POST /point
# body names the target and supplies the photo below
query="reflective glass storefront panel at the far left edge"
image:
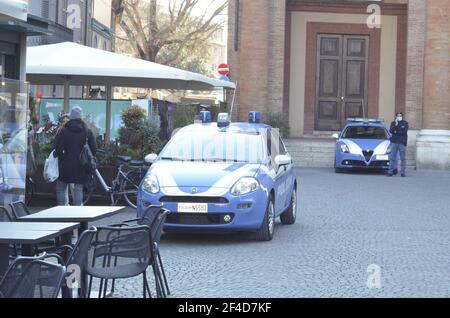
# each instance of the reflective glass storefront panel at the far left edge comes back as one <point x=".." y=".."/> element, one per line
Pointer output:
<point x="13" y="139"/>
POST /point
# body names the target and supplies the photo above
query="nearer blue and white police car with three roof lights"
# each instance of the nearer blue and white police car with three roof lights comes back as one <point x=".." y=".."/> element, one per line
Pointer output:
<point x="223" y="176"/>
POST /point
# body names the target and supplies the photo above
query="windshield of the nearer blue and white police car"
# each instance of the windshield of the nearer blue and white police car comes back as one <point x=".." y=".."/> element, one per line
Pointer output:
<point x="215" y="146"/>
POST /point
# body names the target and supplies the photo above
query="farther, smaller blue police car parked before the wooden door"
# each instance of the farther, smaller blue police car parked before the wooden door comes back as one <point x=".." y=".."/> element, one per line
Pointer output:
<point x="362" y="144"/>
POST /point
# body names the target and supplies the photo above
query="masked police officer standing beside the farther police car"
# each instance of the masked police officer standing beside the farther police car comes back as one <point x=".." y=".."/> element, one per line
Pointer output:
<point x="399" y="142"/>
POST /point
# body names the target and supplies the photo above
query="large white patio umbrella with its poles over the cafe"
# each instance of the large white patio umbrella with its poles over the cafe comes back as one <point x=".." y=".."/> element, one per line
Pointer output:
<point x="69" y="63"/>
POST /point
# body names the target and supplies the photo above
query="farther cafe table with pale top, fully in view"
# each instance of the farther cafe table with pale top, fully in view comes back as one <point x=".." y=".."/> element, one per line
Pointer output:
<point x="81" y="214"/>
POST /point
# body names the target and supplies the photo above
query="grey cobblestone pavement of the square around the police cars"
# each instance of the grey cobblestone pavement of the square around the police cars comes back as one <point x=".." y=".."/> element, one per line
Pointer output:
<point x="346" y="223"/>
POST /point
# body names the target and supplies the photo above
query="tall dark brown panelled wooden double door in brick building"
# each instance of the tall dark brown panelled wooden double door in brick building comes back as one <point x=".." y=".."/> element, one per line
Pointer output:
<point x="342" y="80"/>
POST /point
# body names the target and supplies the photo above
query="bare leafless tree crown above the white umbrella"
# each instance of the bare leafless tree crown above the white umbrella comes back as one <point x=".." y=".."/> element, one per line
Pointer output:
<point x="168" y="31"/>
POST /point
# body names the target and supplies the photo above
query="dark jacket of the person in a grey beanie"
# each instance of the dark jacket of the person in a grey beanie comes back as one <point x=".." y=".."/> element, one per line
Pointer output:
<point x="68" y="145"/>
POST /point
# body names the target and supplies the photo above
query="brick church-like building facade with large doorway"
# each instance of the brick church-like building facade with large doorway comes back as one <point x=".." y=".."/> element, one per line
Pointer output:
<point x="319" y="62"/>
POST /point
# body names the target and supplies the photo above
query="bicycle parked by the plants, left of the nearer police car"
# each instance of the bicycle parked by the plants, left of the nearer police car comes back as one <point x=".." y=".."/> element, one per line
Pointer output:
<point x="125" y="185"/>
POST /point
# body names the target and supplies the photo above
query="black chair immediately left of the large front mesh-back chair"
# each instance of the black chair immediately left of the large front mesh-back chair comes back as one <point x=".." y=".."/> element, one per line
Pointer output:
<point x="76" y="255"/>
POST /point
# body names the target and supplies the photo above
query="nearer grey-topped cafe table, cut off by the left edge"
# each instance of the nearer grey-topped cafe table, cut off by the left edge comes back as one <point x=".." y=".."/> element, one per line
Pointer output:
<point x="28" y="234"/>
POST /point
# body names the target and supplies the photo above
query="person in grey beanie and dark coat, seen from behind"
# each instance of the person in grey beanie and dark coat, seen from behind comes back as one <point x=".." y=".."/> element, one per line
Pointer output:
<point x="68" y="145"/>
